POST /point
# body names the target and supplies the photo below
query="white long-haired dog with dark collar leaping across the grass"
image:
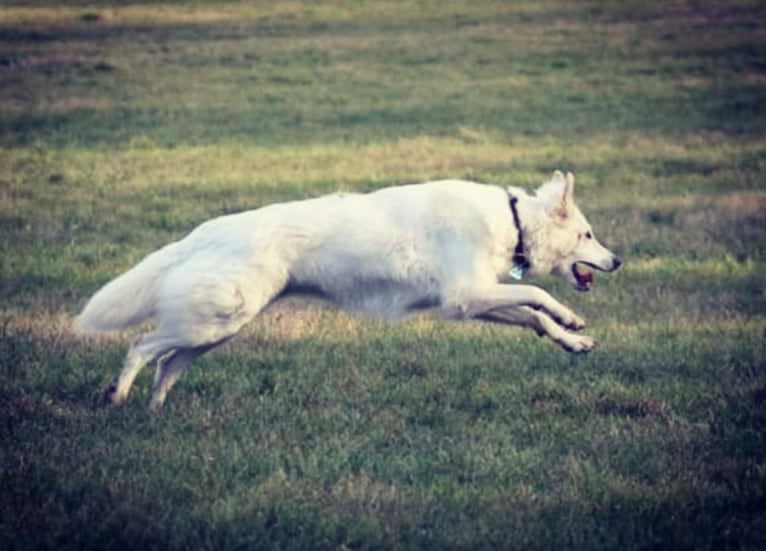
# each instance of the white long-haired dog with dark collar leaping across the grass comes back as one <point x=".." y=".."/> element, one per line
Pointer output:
<point x="448" y="245"/>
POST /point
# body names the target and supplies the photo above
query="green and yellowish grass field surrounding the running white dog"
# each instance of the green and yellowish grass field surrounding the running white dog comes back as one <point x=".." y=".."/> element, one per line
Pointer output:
<point x="122" y="126"/>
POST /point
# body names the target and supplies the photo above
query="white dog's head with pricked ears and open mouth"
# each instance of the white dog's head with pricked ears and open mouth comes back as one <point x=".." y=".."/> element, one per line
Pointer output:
<point x="566" y="244"/>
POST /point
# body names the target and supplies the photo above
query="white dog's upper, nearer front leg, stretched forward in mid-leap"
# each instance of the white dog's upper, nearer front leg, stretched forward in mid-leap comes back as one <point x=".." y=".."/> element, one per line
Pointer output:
<point x="475" y="303"/>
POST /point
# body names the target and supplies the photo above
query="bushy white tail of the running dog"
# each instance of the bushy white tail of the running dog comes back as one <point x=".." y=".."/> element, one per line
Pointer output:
<point x="129" y="298"/>
